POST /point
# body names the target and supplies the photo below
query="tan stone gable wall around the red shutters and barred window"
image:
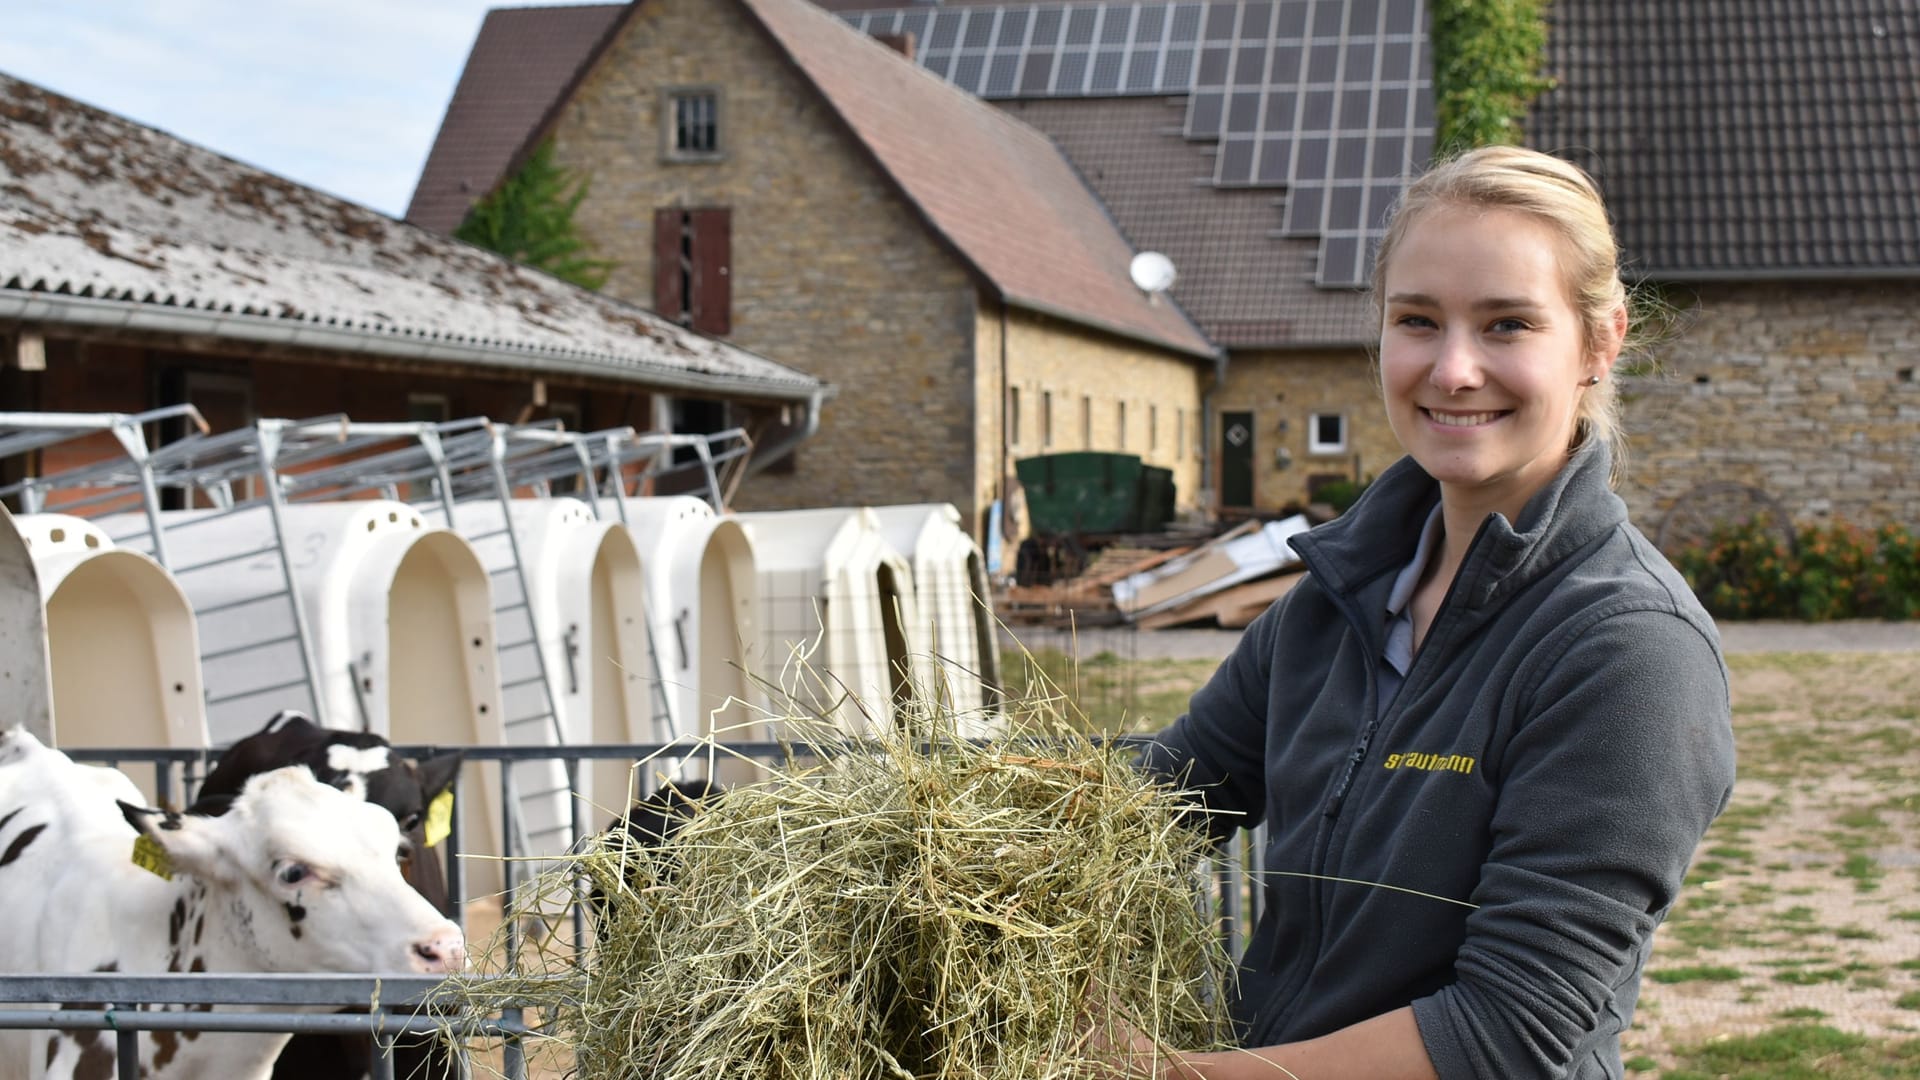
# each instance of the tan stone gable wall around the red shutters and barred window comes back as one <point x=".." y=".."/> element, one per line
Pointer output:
<point x="832" y="272"/>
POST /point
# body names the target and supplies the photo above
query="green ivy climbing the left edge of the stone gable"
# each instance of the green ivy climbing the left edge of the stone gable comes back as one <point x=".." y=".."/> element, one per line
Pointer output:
<point x="531" y="220"/>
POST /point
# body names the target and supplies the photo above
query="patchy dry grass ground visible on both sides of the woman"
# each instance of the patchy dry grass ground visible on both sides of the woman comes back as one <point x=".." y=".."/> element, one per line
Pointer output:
<point x="1796" y="946"/>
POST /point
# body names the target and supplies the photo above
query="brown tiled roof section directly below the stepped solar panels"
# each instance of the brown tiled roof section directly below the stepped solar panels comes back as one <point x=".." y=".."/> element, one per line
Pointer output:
<point x="1239" y="282"/>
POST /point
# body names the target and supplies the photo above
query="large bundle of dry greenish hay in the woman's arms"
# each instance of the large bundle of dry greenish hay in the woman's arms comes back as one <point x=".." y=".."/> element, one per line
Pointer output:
<point x="900" y="912"/>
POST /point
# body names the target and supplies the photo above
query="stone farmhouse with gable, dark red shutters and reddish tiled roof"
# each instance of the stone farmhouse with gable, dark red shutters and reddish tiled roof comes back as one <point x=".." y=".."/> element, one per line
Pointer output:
<point x="765" y="172"/>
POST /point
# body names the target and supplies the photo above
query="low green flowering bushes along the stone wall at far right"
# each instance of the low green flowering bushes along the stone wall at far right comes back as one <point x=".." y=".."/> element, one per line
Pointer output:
<point x="1835" y="572"/>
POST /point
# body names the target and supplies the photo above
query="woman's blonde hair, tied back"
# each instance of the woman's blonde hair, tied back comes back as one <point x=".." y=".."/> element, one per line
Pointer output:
<point x="1568" y="201"/>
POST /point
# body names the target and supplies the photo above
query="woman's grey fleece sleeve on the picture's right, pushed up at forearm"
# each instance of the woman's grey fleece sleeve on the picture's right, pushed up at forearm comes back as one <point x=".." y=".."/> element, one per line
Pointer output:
<point x="1621" y="758"/>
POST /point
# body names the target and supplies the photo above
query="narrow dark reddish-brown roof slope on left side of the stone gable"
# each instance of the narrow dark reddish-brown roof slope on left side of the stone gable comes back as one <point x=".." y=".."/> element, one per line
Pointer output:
<point x="519" y="66"/>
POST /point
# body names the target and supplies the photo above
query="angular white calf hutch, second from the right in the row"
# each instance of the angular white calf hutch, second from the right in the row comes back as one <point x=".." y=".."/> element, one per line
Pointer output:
<point x="840" y="624"/>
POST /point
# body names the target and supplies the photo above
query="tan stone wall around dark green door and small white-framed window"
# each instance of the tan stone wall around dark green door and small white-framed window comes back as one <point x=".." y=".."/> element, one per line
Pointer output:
<point x="1284" y="391"/>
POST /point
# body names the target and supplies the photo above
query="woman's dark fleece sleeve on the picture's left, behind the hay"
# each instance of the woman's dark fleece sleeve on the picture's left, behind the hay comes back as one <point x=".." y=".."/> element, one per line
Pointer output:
<point x="1218" y="749"/>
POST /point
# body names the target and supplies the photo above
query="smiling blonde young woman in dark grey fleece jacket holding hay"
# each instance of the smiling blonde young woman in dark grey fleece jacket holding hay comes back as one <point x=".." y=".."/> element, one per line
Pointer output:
<point x="1491" y="727"/>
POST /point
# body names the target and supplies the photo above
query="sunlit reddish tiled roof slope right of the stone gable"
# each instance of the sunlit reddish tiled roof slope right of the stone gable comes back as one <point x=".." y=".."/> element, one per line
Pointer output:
<point x="999" y="191"/>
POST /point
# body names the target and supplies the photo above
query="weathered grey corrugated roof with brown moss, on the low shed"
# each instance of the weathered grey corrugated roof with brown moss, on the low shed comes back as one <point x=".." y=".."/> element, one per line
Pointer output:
<point x="116" y="222"/>
